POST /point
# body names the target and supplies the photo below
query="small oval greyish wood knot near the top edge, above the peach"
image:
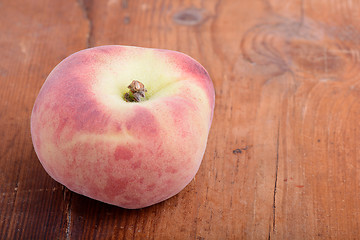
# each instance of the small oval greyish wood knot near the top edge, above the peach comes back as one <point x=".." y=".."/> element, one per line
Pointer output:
<point x="189" y="17"/>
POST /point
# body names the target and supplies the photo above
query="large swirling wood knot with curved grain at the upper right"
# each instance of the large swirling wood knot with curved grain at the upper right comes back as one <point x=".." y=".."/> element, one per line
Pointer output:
<point x="285" y="45"/>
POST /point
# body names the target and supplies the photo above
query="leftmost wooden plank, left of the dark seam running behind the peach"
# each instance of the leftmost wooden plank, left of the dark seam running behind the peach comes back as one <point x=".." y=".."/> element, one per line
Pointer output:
<point x="35" y="36"/>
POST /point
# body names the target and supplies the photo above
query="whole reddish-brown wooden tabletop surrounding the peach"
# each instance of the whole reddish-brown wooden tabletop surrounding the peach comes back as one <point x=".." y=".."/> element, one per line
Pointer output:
<point x="283" y="155"/>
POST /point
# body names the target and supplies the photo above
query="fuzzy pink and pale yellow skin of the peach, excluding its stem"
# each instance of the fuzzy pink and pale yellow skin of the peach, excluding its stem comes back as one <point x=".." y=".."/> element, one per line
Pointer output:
<point x="129" y="154"/>
